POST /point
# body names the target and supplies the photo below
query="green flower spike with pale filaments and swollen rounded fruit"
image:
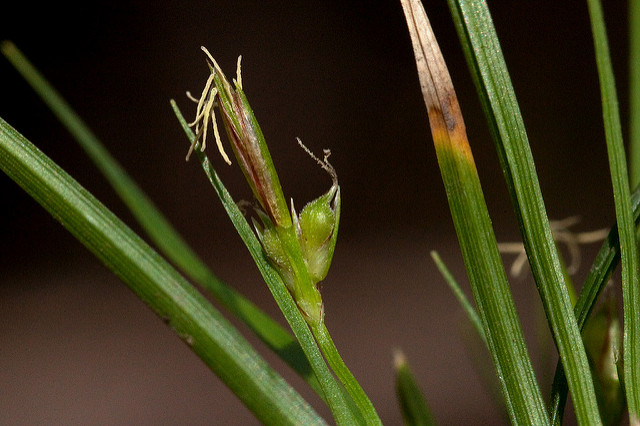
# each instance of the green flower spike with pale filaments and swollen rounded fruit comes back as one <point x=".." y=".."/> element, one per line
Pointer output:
<point x="299" y="247"/>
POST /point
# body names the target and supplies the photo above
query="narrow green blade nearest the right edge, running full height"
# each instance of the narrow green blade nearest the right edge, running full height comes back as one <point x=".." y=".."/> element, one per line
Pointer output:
<point x="624" y="216"/>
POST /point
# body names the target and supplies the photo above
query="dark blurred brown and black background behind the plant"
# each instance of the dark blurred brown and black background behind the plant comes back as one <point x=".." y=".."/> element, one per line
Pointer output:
<point x="77" y="347"/>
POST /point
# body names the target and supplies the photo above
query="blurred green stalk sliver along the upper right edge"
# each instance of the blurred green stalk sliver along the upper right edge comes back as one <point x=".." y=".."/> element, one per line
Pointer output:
<point x="634" y="92"/>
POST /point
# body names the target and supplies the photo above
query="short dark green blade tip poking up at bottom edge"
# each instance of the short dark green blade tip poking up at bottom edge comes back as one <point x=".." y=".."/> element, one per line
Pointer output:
<point x="415" y="410"/>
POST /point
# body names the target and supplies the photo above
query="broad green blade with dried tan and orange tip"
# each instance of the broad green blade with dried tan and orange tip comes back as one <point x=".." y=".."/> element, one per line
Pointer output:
<point x="471" y="219"/>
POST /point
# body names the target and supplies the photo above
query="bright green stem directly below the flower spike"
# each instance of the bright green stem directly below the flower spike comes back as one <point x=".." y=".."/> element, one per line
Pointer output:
<point x="344" y="374"/>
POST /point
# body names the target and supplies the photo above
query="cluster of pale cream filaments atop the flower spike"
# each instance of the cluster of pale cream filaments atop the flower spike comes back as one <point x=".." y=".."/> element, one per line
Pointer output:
<point x="206" y="104"/>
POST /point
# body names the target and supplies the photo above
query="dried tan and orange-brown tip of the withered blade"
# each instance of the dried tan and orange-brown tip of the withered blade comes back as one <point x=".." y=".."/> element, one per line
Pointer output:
<point x="445" y="117"/>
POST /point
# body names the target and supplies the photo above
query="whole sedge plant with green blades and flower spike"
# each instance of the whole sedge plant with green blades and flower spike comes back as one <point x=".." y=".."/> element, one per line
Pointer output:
<point x="599" y="356"/>
